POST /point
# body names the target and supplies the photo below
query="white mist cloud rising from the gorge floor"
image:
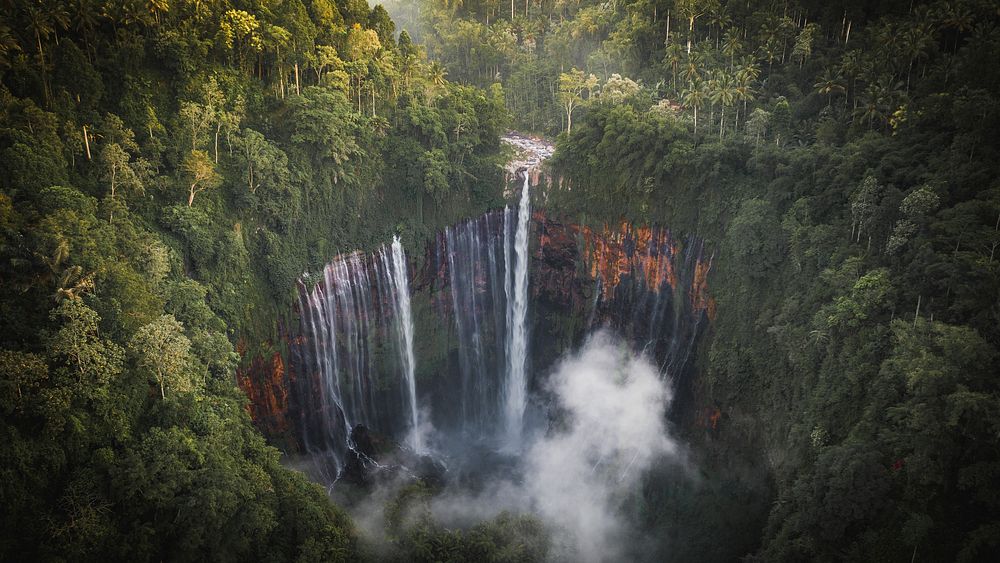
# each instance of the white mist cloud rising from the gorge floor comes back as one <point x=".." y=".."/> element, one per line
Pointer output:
<point x="608" y="431"/>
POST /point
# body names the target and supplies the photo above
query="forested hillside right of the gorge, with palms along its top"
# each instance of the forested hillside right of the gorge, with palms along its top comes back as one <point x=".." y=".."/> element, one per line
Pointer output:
<point x="841" y="158"/>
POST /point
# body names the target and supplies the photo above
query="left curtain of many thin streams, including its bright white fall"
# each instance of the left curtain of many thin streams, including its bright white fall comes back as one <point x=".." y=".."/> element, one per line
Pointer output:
<point x="360" y="307"/>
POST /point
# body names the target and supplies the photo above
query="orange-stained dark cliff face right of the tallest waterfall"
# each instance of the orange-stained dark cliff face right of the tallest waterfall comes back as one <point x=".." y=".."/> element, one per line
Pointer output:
<point x="642" y="282"/>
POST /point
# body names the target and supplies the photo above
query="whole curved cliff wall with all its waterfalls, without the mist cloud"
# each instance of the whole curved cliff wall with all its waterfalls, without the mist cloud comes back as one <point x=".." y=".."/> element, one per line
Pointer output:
<point x="465" y="305"/>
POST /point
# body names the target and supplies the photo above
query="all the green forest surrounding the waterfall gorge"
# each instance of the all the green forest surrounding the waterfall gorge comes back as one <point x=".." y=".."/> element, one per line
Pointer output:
<point x="169" y="170"/>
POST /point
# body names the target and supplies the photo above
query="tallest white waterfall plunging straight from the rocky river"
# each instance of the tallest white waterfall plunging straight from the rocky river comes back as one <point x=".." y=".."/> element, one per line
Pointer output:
<point x="516" y="388"/>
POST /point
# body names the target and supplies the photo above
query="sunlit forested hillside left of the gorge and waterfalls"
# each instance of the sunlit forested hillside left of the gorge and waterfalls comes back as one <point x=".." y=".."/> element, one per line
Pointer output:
<point x="169" y="171"/>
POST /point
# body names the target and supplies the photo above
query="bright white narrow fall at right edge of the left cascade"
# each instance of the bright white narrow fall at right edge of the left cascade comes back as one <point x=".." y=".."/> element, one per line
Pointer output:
<point x="396" y="264"/>
